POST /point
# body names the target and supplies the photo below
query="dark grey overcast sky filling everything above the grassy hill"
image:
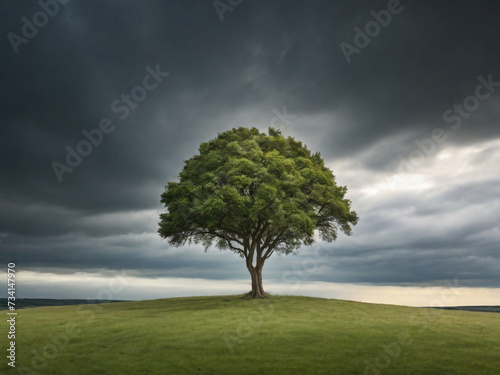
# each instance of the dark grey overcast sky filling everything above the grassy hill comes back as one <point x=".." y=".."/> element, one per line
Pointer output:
<point x="402" y="100"/>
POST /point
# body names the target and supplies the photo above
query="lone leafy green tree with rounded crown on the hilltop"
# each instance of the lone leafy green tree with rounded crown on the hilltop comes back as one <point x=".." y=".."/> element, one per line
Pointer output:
<point x="254" y="194"/>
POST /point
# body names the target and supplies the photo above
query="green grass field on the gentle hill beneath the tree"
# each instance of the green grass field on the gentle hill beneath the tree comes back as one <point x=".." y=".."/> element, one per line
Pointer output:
<point x="230" y="335"/>
